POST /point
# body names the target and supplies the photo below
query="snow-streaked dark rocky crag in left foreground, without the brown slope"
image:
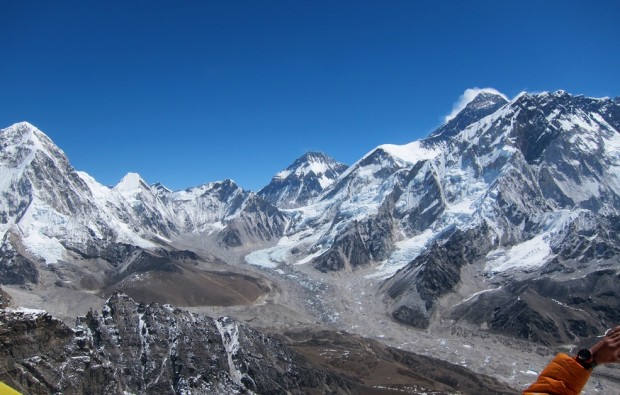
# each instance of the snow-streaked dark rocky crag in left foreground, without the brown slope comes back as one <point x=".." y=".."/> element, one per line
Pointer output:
<point x="147" y="349"/>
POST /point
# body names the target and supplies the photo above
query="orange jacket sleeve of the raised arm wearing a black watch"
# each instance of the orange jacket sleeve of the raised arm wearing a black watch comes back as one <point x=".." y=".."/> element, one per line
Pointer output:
<point x="562" y="376"/>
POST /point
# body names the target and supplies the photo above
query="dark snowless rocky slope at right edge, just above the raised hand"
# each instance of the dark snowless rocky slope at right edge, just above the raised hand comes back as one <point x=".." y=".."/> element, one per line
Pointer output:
<point x="549" y="311"/>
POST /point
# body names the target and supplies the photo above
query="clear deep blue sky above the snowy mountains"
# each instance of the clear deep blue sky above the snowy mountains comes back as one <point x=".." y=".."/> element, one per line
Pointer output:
<point x="188" y="92"/>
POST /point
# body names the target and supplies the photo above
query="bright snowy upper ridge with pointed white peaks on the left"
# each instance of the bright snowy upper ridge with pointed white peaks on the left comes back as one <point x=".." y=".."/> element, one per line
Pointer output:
<point x="56" y="211"/>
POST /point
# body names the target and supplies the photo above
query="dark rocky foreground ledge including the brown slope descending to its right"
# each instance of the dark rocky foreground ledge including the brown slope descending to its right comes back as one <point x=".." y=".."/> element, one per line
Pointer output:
<point x="159" y="349"/>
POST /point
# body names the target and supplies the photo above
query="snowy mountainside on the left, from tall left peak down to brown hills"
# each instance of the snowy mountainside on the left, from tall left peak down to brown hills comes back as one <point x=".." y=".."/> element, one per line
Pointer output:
<point x="52" y="213"/>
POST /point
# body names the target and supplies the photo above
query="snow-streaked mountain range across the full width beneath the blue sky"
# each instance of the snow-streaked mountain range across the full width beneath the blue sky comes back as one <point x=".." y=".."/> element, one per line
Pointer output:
<point x="504" y="220"/>
